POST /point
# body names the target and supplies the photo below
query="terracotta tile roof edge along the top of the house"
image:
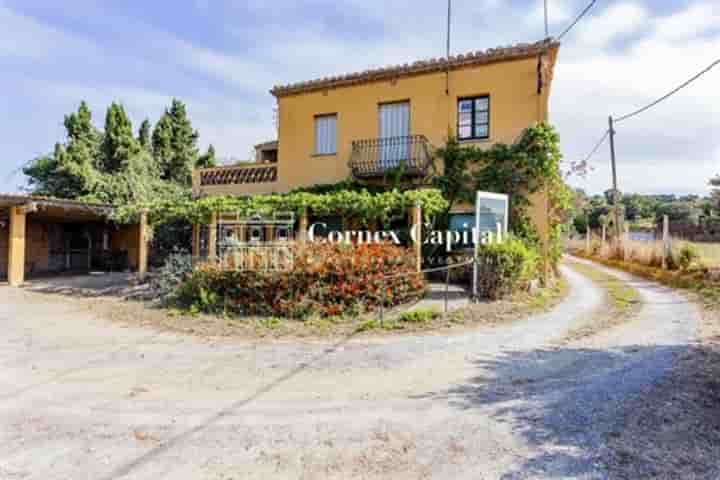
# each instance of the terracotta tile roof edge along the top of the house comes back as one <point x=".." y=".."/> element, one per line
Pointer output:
<point x="479" y="57"/>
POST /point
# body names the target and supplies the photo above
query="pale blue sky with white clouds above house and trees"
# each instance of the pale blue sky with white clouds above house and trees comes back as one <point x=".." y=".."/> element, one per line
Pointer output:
<point x="222" y="56"/>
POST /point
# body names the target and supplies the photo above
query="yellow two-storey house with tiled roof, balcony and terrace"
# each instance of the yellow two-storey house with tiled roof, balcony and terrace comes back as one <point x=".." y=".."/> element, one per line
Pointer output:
<point x="362" y="124"/>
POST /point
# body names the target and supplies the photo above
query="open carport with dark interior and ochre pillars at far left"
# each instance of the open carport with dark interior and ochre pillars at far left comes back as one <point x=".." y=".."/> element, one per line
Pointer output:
<point x="42" y="236"/>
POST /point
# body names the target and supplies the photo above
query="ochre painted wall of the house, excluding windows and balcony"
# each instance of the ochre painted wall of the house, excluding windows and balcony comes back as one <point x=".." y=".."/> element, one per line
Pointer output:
<point x="514" y="105"/>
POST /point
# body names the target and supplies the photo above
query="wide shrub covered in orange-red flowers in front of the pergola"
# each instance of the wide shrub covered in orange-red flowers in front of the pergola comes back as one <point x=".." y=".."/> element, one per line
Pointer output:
<point x="325" y="279"/>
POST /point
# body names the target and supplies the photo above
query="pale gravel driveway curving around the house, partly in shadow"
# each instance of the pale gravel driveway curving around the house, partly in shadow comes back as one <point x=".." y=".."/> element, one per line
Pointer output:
<point x="83" y="398"/>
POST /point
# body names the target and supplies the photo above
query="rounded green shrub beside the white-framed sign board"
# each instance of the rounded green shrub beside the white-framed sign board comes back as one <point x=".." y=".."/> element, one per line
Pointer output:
<point x="505" y="268"/>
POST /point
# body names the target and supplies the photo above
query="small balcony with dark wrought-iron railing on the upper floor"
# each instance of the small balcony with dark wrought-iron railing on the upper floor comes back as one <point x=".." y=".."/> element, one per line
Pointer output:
<point x="376" y="157"/>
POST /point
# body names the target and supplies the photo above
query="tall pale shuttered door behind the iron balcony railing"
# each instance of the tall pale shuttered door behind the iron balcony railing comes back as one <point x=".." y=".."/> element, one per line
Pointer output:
<point x="394" y="135"/>
